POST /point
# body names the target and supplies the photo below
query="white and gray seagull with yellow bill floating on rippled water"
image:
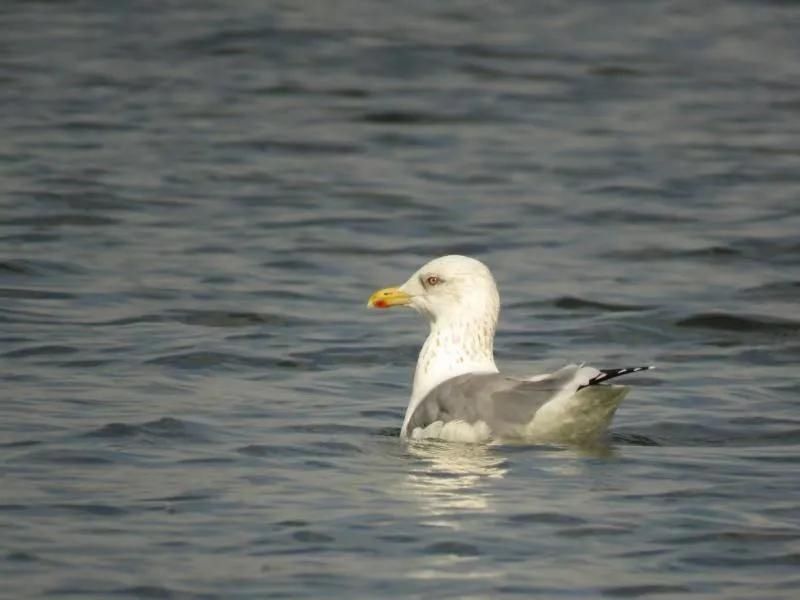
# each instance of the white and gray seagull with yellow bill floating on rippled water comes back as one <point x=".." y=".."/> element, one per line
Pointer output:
<point x="458" y="393"/>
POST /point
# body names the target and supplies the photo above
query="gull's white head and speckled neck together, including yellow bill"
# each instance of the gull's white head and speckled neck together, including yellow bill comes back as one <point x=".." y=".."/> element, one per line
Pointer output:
<point x="458" y="296"/>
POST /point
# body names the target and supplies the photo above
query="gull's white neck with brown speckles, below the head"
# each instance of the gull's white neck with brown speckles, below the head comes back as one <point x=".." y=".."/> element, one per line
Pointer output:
<point x="454" y="347"/>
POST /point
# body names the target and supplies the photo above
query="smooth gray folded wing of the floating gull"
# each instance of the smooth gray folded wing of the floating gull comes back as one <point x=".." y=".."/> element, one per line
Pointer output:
<point x="504" y="403"/>
